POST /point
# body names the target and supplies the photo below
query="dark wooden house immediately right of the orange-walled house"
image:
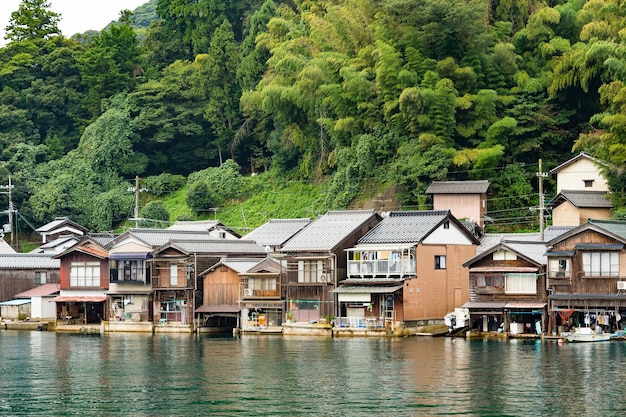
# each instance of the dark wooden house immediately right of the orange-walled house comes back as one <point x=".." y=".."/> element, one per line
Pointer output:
<point x="507" y="287"/>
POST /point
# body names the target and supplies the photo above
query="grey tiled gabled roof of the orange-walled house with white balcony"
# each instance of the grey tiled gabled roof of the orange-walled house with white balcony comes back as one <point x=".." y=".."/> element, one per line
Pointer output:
<point x="410" y="227"/>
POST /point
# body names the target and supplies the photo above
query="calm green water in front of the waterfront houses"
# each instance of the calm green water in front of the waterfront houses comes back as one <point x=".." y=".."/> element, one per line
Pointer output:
<point x="51" y="374"/>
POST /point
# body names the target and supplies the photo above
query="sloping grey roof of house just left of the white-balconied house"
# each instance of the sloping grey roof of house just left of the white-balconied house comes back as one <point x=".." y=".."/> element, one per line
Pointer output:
<point x="328" y="231"/>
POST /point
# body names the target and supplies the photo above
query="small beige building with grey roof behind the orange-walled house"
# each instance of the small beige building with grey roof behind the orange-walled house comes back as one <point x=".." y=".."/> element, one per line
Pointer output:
<point x="466" y="200"/>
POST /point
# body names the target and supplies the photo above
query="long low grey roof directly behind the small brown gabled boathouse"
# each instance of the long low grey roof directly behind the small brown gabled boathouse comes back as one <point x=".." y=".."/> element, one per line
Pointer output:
<point x="212" y="246"/>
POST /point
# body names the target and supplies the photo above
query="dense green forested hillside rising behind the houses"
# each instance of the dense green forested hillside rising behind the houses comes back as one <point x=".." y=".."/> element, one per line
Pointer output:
<point x="342" y="98"/>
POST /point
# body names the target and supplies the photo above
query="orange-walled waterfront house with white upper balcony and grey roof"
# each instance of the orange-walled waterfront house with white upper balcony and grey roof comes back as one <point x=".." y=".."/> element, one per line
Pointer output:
<point x="407" y="269"/>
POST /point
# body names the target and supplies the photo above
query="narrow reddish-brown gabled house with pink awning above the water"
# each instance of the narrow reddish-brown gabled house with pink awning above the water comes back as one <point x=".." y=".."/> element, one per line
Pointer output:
<point x="84" y="281"/>
